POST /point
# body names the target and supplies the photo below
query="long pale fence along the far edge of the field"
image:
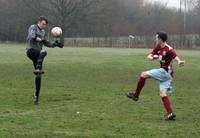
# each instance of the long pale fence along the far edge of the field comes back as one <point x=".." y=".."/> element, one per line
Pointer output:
<point x="177" y="41"/>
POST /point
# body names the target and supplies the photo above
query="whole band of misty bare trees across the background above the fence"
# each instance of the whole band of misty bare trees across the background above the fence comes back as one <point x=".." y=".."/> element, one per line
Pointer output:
<point x="98" y="18"/>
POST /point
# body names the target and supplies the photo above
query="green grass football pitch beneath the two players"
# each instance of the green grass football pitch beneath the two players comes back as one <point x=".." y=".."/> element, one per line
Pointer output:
<point x="82" y="95"/>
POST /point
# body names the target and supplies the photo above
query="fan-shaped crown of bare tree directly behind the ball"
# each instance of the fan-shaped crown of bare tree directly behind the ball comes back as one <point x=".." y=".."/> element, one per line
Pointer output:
<point x="63" y="13"/>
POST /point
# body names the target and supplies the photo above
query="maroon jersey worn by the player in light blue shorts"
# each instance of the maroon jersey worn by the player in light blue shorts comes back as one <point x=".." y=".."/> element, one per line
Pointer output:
<point x="166" y="55"/>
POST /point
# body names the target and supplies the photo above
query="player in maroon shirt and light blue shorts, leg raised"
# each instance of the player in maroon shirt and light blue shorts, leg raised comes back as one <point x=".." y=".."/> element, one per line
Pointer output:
<point x="166" y="54"/>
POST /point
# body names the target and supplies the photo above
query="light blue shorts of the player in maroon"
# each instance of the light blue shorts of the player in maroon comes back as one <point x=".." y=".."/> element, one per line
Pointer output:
<point x="164" y="77"/>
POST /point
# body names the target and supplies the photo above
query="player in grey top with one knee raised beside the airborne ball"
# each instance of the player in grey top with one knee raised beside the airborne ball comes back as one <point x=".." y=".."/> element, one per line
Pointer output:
<point x="36" y="39"/>
